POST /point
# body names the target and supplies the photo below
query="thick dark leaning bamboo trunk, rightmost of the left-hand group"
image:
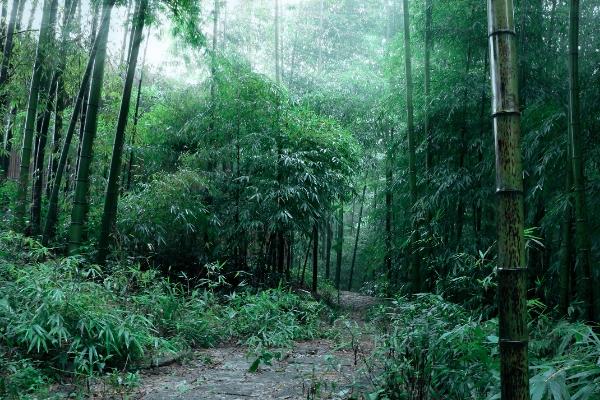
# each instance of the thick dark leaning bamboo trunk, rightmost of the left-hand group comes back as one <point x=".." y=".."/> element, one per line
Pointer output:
<point x="111" y="198"/>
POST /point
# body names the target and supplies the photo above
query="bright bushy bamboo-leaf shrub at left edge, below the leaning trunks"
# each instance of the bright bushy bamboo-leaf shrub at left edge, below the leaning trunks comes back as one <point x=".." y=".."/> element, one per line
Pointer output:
<point x="53" y="311"/>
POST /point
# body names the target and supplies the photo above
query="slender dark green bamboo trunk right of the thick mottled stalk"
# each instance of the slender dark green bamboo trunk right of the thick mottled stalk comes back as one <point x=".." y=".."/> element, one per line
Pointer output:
<point x="583" y="244"/>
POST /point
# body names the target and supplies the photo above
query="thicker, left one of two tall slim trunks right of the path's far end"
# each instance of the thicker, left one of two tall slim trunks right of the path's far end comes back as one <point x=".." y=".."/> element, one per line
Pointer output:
<point x="412" y="172"/>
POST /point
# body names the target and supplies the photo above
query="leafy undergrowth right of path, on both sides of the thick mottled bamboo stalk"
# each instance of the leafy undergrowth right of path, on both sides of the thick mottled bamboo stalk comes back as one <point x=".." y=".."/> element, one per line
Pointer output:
<point x="435" y="349"/>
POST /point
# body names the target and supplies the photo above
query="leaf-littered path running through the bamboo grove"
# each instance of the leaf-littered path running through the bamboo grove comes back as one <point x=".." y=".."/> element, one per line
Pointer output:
<point x="315" y="369"/>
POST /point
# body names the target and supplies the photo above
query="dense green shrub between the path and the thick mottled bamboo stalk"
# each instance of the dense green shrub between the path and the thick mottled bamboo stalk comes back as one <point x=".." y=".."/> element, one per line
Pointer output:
<point x="435" y="349"/>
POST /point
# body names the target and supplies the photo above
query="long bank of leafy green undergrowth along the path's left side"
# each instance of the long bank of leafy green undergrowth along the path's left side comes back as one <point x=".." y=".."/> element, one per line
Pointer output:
<point x="65" y="318"/>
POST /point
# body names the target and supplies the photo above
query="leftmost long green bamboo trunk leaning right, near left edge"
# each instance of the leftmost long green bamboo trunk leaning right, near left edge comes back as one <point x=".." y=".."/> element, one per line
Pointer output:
<point x="46" y="30"/>
